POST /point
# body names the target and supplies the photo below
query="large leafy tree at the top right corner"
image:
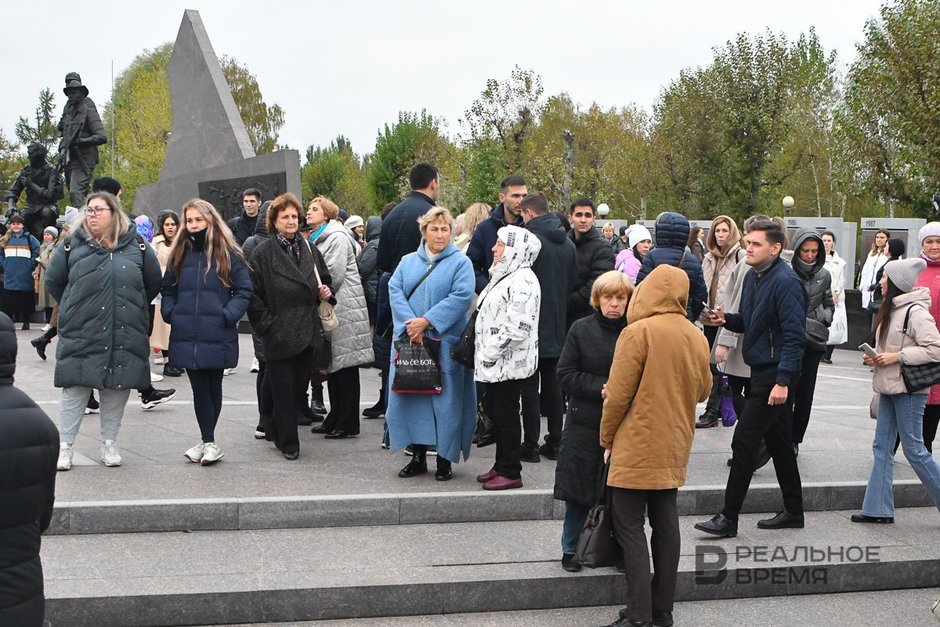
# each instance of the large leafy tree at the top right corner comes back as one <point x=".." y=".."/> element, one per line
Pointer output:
<point x="890" y="120"/>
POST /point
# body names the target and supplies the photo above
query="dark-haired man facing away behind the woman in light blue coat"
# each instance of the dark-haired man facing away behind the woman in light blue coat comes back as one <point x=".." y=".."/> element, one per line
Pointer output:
<point x="400" y="234"/>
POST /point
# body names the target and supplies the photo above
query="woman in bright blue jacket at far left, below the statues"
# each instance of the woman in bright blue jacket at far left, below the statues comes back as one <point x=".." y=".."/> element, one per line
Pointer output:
<point x="18" y="254"/>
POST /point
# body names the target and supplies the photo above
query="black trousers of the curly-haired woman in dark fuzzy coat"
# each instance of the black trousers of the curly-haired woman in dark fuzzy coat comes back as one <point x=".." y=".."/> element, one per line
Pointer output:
<point x="285" y="378"/>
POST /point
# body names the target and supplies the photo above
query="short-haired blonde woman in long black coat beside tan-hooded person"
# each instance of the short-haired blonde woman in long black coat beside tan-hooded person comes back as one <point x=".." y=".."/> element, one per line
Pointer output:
<point x="582" y="372"/>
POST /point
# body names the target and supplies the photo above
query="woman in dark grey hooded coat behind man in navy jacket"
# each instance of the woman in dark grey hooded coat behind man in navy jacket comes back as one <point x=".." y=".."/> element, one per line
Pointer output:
<point x="809" y="259"/>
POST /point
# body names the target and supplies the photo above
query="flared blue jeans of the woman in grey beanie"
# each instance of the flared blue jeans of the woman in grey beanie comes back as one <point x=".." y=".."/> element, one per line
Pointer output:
<point x="899" y="414"/>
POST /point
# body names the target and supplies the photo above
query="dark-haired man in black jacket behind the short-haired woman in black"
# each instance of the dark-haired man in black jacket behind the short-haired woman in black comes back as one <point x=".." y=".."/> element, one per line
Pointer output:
<point x="595" y="257"/>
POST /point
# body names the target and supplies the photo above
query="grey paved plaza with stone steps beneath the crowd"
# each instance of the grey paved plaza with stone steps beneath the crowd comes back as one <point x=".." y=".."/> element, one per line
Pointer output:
<point x="337" y="535"/>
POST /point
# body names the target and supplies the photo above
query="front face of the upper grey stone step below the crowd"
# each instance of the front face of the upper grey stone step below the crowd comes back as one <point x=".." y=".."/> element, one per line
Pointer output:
<point x="214" y="514"/>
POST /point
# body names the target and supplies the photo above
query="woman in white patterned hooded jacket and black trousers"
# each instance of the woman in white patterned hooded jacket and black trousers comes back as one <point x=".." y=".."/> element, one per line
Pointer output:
<point x="507" y="346"/>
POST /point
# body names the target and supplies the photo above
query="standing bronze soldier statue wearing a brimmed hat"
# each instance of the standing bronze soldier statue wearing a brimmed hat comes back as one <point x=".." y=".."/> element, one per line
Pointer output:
<point x="82" y="133"/>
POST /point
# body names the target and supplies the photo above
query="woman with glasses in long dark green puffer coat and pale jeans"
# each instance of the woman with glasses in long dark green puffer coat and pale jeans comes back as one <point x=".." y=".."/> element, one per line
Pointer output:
<point x="104" y="277"/>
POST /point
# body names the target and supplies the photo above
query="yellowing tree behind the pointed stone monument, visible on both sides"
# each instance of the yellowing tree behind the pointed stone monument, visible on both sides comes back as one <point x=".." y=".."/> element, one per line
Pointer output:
<point x="141" y="116"/>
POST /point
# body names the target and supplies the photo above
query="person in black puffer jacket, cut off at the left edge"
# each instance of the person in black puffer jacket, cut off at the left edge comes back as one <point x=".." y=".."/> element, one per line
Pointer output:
<point x="29" y="445"/>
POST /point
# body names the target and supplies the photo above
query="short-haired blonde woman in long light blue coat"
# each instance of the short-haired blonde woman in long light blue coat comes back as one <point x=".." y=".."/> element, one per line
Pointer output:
<point x="435" y="306"/>
